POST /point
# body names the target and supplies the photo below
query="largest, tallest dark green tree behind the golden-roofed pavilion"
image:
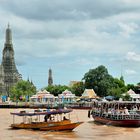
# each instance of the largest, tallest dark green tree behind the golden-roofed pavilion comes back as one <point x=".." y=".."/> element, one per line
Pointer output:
<point x="99" y="80"/>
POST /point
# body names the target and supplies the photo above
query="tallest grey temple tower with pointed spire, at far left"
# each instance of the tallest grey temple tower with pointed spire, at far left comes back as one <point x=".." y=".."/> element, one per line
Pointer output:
<point x="9" y="74"/>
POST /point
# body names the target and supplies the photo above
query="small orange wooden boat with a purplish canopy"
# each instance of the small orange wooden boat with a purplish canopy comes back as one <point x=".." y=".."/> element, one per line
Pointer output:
<point x="51" y="118"/>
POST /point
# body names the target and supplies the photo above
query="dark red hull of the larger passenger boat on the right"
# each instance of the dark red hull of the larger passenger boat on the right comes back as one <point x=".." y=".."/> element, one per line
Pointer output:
<point x="125" y="123"/>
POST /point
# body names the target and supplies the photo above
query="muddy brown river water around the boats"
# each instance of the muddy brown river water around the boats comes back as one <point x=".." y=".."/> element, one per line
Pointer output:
<point x="86" y="131"/>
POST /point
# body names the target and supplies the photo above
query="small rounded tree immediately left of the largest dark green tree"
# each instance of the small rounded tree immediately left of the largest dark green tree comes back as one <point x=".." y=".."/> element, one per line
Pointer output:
<point x="78" y="88"/>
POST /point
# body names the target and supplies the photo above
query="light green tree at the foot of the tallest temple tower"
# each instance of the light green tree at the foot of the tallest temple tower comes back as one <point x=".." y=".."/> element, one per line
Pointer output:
<point x="22" y="89"/>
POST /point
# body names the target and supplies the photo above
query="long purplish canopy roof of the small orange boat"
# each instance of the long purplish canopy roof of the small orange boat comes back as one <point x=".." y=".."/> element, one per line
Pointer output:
<point x="54" y="112"/>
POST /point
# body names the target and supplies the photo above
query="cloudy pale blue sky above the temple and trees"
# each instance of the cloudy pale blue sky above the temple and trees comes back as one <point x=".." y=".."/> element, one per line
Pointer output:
<point x="71" y="37"/>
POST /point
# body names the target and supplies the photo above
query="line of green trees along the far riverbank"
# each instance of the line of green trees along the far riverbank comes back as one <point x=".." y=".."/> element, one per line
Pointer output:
<point x="98" y="79"/>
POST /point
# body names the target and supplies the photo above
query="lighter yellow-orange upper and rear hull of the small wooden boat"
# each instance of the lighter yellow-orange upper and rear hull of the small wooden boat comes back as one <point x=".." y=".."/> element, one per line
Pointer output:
<point x="38" y="125"/>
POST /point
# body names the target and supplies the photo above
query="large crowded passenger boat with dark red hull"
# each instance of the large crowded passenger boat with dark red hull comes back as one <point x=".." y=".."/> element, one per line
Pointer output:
<point x="116" y="113"/>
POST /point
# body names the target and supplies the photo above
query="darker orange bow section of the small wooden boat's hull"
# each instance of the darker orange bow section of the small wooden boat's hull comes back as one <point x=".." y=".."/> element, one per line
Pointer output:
<point x="63" y="127"/>
